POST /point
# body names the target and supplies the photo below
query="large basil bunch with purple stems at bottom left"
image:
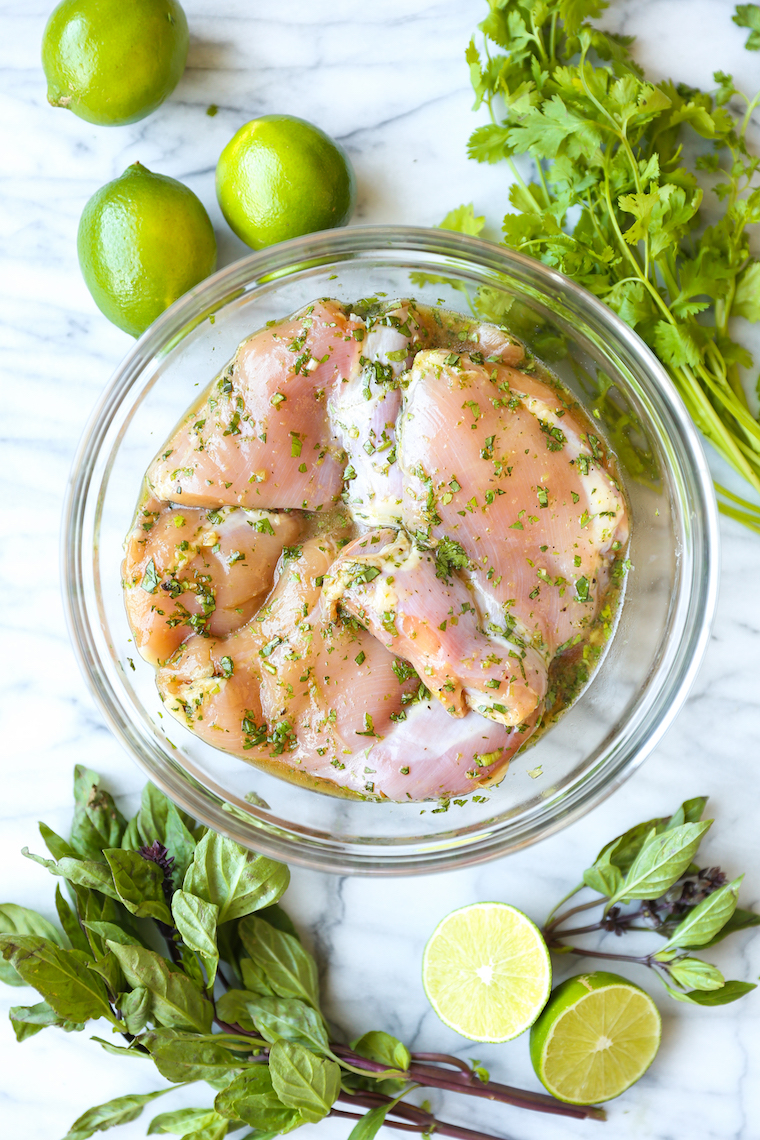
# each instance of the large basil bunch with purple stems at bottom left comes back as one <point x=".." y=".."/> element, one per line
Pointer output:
<point x="175" y="938"/>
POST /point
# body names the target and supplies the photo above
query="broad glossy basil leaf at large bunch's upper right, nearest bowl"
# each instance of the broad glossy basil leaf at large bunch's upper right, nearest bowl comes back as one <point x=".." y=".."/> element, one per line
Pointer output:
<point x="236" y="881"/>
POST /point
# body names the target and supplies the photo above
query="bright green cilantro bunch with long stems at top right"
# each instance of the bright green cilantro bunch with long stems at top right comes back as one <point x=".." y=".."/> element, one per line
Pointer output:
<point x="616" y="206"/>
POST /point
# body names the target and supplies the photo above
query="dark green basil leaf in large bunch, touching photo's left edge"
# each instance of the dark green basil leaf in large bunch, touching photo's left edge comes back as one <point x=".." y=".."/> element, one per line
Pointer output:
<point x="60" y="976"/>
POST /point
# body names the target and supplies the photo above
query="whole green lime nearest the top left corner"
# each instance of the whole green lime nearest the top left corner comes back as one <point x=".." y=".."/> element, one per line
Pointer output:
<point x="113" y="62"/>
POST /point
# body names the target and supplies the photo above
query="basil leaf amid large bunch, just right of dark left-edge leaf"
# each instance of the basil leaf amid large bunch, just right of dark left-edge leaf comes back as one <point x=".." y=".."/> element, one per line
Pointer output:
<point x="177" y="1003"/>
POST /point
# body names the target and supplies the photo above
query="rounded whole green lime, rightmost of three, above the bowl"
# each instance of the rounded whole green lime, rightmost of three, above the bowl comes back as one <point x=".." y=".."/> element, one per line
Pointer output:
<point x="281" y="177"/>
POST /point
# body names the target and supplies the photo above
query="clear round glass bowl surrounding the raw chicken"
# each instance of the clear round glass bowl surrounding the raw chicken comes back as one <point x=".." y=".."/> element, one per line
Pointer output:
<point x="664" y="621"/>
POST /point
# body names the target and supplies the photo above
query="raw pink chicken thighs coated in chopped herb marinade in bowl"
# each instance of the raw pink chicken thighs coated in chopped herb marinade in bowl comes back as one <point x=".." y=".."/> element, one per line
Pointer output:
<point x="362" y="552"/>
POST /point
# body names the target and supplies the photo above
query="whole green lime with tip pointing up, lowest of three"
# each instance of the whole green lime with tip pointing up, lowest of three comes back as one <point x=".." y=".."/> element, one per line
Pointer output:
<point x="144" y="240"/>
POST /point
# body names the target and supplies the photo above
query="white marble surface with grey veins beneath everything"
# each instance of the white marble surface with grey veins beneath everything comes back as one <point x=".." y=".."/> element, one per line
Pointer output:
<point x="390" y="82"/>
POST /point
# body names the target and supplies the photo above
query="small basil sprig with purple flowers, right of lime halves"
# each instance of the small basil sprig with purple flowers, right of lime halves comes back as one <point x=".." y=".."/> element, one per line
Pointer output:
<point x="648" y="880"/>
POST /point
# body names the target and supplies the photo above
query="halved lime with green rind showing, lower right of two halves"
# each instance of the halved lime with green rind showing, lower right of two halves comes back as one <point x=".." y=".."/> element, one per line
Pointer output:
<point x="596" y="1037"/>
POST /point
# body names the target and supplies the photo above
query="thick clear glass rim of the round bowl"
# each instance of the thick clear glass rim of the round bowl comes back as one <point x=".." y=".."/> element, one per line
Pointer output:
<point x="199" y="303"/>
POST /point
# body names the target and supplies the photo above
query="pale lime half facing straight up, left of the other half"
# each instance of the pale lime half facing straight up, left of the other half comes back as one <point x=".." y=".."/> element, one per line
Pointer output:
<point x="487" y="972"/>
